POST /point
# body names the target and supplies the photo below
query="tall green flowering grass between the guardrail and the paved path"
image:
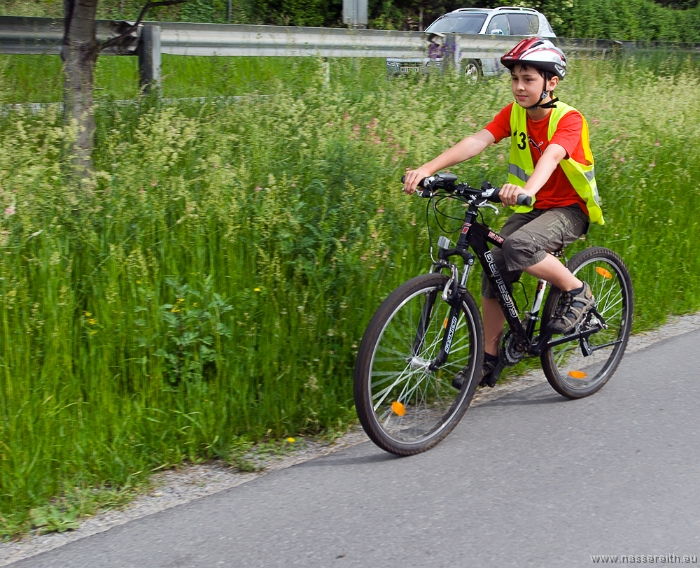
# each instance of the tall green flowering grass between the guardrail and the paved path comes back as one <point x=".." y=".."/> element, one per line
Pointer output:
<point x="212" y="282"/>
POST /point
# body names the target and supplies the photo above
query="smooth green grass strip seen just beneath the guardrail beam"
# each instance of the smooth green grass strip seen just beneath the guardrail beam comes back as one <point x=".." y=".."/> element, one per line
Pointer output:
<point x="38" y="78"/>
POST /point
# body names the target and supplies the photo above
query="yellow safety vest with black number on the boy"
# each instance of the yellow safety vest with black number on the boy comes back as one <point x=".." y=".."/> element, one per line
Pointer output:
<point x="581" y="176"/>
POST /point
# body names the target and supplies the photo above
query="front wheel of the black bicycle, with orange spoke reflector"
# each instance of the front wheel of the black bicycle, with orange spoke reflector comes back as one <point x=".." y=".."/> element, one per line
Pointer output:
<point x="405" y="408"/>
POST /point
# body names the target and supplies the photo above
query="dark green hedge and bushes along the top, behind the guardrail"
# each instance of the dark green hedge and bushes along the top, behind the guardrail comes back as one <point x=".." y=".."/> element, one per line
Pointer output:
<point x="640" y="20"/>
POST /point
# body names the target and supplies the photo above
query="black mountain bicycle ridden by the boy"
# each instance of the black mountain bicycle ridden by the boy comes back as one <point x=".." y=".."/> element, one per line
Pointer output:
<point x="430" y="328"/>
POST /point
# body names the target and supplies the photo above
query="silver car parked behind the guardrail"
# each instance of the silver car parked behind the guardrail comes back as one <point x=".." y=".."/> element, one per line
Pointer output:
<point x="504" y="21"/>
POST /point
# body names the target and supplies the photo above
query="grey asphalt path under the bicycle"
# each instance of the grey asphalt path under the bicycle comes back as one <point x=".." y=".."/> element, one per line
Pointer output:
<point x="530" y="479"/>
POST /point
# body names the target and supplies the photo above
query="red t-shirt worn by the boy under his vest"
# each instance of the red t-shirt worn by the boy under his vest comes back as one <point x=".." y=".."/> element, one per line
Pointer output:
<point x="557" y="190"/>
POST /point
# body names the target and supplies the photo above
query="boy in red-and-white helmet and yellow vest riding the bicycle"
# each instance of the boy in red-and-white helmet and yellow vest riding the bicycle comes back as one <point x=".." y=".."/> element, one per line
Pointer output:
<point x="551" y="161"/>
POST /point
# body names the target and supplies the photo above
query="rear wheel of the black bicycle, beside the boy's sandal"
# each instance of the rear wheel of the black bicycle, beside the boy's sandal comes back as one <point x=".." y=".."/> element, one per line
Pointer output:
<point x="568" y="371"/>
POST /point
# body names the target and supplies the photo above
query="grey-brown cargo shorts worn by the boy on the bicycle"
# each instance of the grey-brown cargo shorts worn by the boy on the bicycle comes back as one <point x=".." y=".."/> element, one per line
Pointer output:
<point x="530" y="236"/>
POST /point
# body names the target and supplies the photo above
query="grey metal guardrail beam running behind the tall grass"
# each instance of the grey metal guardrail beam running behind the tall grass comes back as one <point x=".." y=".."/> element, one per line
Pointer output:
<point x="44" y="35"/>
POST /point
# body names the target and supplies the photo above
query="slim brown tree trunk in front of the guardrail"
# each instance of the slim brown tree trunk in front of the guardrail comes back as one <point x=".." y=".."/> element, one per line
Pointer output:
<point x="79" y="53"/>
